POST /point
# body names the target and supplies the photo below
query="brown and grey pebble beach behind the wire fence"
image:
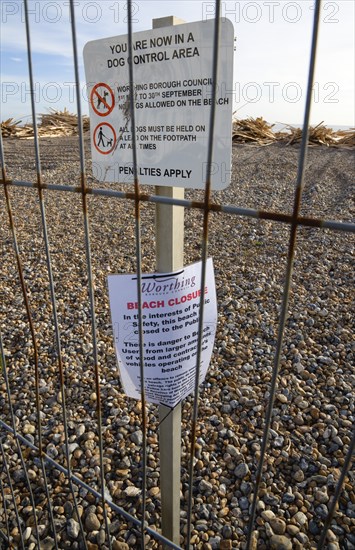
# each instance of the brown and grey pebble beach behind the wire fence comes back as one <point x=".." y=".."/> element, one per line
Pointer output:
<point x="314" y="412"/>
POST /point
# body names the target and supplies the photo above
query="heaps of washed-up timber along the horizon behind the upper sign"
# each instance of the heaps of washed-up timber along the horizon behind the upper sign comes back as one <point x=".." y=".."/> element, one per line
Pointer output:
<point x="257" y="131"/>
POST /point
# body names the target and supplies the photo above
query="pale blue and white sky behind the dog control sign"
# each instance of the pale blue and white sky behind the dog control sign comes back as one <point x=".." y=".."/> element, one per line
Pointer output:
<point x="271" y="57"/>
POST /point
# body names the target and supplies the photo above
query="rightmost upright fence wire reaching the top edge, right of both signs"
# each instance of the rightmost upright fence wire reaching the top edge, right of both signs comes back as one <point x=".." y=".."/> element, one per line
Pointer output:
<point x="289" y="272"/>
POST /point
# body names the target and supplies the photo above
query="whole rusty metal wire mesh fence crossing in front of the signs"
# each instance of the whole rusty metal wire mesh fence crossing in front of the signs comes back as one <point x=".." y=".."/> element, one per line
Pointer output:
<point x="293" y="221"/>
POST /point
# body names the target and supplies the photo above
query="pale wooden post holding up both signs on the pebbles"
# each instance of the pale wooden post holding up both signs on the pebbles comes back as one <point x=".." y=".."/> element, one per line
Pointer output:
<point x="170" y="257"/>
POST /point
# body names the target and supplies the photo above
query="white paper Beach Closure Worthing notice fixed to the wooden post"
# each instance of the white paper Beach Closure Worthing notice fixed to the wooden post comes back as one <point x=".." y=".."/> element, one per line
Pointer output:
<point x="170" y="309"/>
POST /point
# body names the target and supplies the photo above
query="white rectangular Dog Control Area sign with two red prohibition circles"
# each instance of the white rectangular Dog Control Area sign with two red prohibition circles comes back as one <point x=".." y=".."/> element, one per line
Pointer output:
<point x="172" y="68"/>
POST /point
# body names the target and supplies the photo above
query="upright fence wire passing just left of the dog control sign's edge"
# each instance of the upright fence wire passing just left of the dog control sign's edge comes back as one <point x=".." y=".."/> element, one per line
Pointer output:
<point x="89" y="265"/>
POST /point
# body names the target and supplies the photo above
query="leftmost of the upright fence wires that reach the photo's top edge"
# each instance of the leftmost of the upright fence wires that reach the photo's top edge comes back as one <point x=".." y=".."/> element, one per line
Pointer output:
<point x="50" y="271"/>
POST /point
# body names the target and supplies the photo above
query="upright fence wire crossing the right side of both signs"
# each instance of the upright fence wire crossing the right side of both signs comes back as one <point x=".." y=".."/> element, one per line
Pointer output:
<point x="204" y="254"/>
